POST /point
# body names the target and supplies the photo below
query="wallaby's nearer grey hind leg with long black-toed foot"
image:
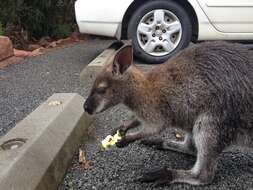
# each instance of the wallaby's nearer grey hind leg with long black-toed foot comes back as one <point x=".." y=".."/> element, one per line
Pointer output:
<point x="209" y="144"/>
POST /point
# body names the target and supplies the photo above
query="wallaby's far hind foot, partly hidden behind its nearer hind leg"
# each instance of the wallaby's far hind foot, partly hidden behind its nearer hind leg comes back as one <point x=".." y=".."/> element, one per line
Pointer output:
<point x="186" y="146"/>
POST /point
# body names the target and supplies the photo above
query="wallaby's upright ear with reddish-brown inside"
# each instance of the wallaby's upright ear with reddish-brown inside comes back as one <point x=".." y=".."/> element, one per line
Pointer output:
<point x="123" y="59"/>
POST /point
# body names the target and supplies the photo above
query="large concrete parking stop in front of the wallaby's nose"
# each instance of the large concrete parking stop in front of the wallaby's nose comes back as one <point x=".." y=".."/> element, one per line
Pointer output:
<point x="35" y="154"/>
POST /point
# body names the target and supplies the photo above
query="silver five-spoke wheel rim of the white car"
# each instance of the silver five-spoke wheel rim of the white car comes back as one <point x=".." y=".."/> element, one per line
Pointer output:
<point x="159" y="32"/>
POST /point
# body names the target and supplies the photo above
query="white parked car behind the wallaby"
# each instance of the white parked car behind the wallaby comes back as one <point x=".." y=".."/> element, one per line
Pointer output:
<point x="160" y="28"/>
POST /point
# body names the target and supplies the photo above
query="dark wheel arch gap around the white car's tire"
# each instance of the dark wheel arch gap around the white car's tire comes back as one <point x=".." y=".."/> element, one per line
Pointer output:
<point x="184" y="3"/>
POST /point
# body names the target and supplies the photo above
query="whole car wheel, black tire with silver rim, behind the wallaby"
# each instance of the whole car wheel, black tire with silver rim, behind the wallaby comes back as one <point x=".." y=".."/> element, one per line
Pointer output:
<point x="173" y="10"/>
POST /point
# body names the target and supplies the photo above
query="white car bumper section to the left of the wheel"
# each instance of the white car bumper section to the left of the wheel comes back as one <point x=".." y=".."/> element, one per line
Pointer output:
<point x="100" y="17"/>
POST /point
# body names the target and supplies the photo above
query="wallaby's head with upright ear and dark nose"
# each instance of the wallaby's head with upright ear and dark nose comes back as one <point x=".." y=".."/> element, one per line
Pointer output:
<point x="109" y="87"/>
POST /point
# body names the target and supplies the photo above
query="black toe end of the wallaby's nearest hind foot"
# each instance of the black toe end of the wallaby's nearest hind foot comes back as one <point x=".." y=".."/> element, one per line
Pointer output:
<point x="159" y="176"/>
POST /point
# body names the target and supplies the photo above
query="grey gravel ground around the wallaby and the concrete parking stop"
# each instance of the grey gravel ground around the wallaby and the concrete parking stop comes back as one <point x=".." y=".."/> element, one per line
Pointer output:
<point x="24" y="86"/>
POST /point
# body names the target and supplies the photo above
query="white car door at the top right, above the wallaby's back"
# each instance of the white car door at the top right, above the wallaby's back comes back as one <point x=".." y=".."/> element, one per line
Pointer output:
<point x="229" y="16"/>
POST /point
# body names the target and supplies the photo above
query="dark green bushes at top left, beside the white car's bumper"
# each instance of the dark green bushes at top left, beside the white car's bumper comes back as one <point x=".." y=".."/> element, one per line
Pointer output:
<point x="39" y="17"/>
